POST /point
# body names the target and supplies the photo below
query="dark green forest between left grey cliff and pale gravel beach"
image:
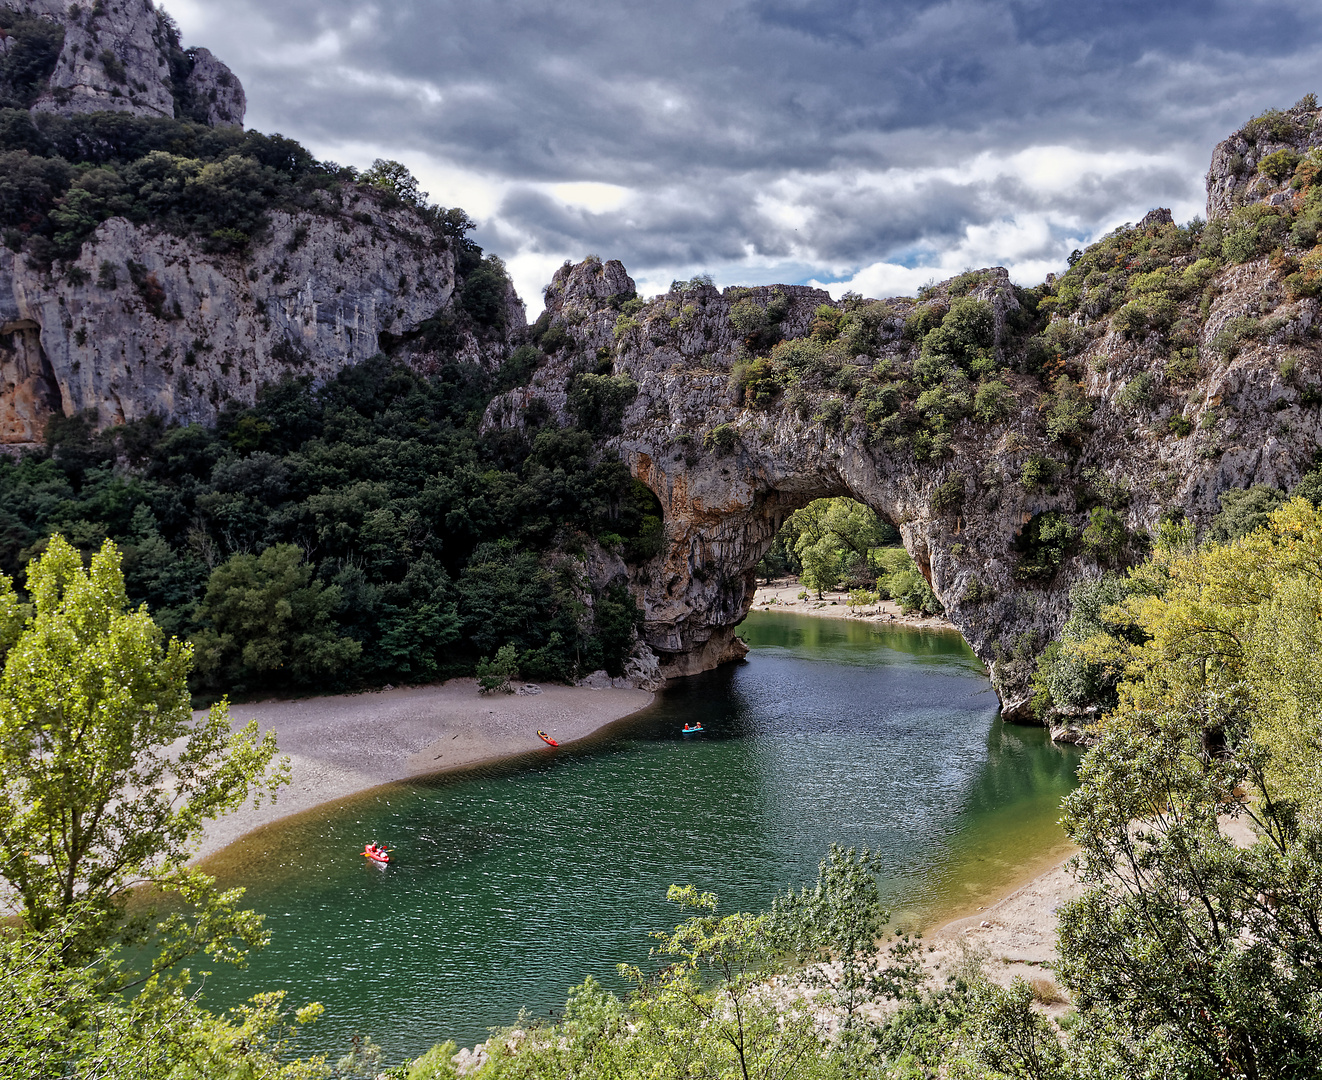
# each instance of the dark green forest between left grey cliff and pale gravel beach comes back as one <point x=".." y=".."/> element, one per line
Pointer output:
<point x="355" y="533"/>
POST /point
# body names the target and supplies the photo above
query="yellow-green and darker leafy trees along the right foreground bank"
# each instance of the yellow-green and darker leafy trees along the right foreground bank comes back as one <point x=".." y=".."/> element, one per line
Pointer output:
<point x="1197" y="954"/>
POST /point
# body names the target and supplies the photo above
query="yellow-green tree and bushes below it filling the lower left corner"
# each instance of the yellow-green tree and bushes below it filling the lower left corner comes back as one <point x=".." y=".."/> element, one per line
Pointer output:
<point x="106" y="782"/>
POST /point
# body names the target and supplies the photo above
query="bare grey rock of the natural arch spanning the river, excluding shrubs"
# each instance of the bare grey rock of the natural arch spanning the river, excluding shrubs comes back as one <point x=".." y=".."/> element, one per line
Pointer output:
<point x="728" y="474"/>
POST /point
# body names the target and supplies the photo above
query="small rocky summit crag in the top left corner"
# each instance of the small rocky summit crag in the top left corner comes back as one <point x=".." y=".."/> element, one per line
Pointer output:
<point x="124" y="56"/>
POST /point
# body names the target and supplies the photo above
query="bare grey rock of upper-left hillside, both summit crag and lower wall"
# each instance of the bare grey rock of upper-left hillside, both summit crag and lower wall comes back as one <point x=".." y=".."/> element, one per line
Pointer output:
<point x="149" y="322"/>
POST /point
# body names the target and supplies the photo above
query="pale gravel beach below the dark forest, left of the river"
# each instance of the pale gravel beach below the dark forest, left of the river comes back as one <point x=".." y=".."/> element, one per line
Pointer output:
<point x="339" y="746"/>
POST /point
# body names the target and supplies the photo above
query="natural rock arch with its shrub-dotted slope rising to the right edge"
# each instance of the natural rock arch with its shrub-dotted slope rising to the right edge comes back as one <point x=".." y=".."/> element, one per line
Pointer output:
<point x="1139" y="409"/>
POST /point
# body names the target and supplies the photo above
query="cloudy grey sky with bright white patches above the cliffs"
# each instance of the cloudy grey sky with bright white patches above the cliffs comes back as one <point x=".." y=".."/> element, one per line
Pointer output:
<point x="852" y="145"/>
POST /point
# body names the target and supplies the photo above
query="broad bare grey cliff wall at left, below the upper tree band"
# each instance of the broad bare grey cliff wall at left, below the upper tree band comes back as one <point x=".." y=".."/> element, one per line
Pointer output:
<point x="147" y="323"/>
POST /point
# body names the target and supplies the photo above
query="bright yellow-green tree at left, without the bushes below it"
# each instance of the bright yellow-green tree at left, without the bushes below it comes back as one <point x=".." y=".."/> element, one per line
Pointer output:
<point x="95" y="800"/>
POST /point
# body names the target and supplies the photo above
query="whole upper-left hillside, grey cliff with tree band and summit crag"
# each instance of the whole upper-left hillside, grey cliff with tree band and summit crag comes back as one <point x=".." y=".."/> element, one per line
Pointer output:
<point x="161" y="261"/>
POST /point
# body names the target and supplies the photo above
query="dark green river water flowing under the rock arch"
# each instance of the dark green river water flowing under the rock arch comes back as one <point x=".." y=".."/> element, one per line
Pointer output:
<point x="512" y="884"/>
